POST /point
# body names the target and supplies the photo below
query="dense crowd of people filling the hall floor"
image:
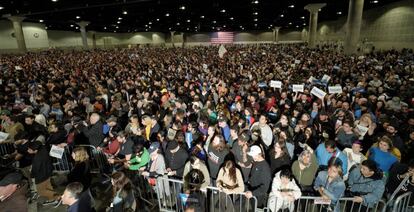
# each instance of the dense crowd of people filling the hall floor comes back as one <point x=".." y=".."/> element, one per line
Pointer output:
<point x="188" y="114"/>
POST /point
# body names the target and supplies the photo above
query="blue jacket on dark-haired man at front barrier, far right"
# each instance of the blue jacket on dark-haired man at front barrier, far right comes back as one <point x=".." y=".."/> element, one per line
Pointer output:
<point x="370" y="189"/>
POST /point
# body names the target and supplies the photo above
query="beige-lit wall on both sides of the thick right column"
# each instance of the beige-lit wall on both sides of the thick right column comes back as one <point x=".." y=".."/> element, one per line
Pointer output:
<point x="390" y="26"/>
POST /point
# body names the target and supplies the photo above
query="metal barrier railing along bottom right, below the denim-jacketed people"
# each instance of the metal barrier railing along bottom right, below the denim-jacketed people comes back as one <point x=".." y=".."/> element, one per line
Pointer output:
<point x="316" y="204"/>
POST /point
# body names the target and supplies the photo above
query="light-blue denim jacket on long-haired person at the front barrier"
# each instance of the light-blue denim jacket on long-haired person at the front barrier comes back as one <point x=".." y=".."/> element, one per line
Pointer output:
<point x="333" y="190"/>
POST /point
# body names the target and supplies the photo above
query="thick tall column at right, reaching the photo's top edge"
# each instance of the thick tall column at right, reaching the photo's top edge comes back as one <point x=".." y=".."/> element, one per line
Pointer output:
<point x="353" y="26"/>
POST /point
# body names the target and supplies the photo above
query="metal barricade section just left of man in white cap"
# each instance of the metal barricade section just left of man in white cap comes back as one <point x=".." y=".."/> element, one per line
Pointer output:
<point x="237" y="202"/>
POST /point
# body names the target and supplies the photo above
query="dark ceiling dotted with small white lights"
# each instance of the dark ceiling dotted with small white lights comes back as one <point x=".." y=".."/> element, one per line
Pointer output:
<point x="175" y="15"/>
